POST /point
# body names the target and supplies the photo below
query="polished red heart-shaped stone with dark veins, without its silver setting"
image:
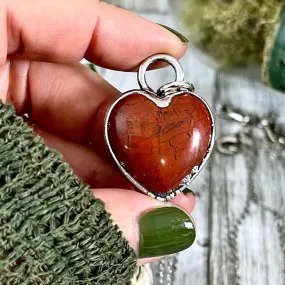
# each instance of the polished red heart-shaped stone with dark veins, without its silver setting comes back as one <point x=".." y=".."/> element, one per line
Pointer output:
<point x="159" y="146"/>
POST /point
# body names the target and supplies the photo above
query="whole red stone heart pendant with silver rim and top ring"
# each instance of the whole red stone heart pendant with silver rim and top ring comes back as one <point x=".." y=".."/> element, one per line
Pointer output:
<point x="160" y="140"/>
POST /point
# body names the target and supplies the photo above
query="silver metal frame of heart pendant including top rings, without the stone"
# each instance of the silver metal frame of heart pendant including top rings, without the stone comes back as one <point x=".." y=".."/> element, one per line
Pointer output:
<point x="162" y="98"/>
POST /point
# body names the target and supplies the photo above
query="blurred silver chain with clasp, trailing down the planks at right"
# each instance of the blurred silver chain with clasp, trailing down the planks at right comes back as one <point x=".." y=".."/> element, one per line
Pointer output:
<point x="257" y="131"/>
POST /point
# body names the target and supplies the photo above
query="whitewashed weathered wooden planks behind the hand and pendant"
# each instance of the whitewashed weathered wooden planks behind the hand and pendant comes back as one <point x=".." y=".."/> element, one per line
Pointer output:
<point x="240" y="199"/>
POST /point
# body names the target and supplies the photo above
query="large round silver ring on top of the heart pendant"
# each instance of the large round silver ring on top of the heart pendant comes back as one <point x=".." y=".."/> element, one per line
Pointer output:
<point x="179" y="73"/>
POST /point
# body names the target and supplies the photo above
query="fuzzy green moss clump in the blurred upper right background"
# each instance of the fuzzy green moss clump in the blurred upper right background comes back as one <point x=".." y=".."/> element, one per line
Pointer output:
<point x="232" y="31"/>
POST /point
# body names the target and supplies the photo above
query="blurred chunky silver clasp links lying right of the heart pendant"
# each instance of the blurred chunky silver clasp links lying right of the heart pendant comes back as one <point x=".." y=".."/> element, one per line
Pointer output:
<point x="257" y="131"/>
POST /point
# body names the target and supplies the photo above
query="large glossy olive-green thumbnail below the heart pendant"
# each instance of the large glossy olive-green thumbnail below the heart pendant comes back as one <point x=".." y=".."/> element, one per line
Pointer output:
<point x="165" y="231"/>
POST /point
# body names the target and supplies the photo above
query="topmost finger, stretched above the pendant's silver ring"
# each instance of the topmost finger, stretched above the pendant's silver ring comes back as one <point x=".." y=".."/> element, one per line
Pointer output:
<point x="68" y="30"/>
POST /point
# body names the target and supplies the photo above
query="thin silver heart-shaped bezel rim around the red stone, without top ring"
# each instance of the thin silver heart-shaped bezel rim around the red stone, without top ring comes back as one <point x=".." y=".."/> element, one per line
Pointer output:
<point x="162" y="103"/>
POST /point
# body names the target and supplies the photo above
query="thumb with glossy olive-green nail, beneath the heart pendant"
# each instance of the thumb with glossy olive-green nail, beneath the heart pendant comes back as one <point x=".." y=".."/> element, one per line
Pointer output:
<point x="153" y="228"/>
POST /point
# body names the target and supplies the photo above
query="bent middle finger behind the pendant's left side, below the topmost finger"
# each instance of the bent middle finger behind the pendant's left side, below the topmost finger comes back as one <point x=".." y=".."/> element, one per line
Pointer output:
<point x="70" y="100"/>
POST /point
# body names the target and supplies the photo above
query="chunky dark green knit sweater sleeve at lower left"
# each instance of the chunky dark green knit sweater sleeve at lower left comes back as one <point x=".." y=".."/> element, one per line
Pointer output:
<point x="52" y="229"/>
